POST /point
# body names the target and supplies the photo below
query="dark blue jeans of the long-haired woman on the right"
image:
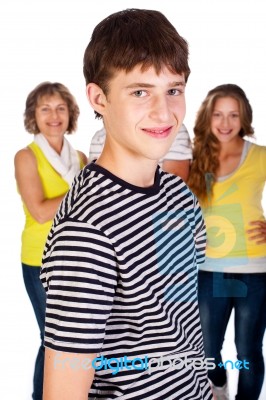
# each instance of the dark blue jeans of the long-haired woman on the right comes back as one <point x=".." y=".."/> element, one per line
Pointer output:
<point x="219" y="293"/>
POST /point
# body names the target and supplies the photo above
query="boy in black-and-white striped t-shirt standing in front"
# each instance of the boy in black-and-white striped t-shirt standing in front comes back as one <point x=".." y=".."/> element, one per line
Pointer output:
<point x="120" y="264"/>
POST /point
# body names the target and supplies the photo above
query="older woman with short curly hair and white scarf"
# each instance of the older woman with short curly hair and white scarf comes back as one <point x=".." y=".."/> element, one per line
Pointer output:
<point x="44" y="172"/>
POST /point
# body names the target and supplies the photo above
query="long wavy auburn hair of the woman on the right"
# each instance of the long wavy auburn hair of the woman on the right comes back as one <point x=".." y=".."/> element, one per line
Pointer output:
<point x="206" y="146"/>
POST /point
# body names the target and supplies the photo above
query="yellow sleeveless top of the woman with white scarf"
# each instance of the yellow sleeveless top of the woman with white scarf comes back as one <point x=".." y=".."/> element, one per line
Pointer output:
<point x="34" y="234"/>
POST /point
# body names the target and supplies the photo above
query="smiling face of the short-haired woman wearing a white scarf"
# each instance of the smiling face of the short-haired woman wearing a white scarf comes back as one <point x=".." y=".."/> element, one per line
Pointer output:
<point x="52" y="116"/>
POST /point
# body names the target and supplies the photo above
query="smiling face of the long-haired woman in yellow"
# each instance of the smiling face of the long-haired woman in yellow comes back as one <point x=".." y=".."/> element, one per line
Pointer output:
<point x="225" y="120"/>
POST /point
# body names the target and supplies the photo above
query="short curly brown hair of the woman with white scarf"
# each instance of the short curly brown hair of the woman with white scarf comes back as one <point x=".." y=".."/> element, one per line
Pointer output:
<point x="49" y="89"/>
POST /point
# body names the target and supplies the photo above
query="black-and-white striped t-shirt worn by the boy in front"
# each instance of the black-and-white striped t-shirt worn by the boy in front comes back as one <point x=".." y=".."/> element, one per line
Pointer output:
<point x="120" y="270"/>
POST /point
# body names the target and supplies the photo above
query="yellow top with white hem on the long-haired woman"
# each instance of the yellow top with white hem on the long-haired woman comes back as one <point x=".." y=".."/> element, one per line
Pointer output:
<point x="236" y="201"/>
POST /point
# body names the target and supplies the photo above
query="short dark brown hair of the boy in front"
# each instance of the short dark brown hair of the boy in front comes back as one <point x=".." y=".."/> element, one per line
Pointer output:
<point x="133" y="37"/>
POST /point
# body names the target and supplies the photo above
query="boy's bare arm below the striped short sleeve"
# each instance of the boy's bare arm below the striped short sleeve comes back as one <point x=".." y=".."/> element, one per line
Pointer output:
<point x="67" y="376"/>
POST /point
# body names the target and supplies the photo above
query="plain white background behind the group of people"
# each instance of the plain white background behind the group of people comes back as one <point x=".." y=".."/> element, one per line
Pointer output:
<point x="45" y="40"/>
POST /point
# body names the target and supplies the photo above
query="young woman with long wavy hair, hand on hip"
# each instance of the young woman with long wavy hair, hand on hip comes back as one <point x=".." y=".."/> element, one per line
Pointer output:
<point x="228" y="174"/>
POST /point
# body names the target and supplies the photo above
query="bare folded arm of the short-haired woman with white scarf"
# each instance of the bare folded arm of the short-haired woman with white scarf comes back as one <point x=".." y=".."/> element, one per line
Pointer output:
<point x="30" y="188"/>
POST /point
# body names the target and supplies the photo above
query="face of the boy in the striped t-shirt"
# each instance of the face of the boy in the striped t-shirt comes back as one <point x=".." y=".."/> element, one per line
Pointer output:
<point x="144" y="111"/>
